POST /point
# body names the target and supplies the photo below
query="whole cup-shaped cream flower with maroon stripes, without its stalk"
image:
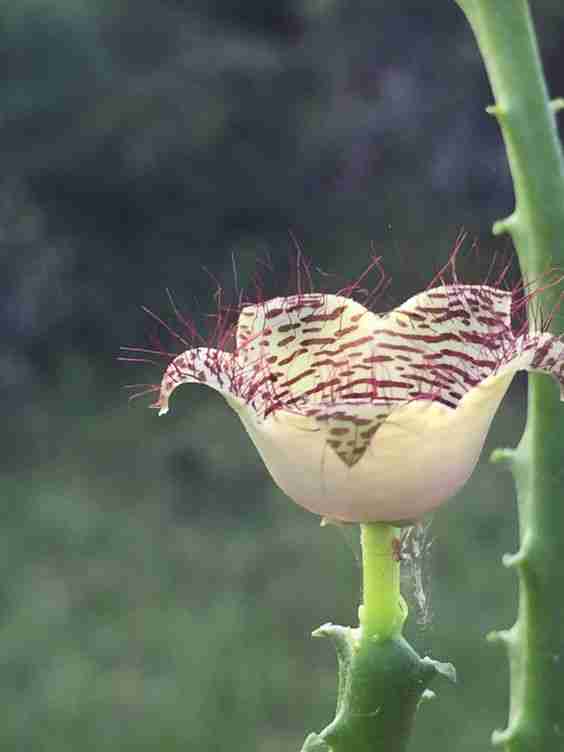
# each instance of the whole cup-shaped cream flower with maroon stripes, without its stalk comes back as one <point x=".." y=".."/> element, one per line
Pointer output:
<point x="363" y="417"/>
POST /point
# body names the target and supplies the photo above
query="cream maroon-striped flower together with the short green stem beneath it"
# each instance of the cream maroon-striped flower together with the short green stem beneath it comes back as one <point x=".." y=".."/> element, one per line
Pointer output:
<point x="375" y="419"/>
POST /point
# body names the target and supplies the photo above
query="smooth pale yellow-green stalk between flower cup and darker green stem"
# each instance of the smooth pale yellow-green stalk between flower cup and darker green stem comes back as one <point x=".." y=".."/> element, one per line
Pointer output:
<point x="383" y="611"/>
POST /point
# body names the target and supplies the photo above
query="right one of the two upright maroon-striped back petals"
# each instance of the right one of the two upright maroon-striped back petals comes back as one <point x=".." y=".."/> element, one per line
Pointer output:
<point x="441" y="343"/>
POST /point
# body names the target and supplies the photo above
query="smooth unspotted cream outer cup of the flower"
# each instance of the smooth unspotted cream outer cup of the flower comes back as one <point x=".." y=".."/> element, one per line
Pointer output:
<point x="418" y="458"/>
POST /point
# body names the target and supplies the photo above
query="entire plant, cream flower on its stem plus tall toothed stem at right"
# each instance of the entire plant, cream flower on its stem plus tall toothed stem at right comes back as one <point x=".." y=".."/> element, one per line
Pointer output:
<point x="378" y="419"/>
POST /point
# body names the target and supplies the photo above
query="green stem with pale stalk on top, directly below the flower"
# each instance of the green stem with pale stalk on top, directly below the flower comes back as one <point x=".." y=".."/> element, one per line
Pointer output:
<point x="382" y="680"/>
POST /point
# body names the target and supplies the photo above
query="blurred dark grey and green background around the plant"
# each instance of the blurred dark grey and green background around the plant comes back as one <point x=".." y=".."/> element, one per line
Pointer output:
<point x="157" y="590"/>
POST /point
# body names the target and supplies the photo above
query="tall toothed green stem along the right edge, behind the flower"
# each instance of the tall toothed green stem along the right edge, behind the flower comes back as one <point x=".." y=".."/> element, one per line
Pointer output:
<point x="506" y="38"/>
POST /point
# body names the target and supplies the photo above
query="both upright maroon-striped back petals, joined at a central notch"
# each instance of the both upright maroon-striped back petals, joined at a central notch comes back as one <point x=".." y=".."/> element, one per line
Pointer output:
<point x="308" y="350"/>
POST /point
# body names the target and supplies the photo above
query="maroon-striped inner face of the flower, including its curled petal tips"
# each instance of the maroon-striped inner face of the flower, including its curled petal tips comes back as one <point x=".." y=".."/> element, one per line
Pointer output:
<point x="330" y="360"/>
